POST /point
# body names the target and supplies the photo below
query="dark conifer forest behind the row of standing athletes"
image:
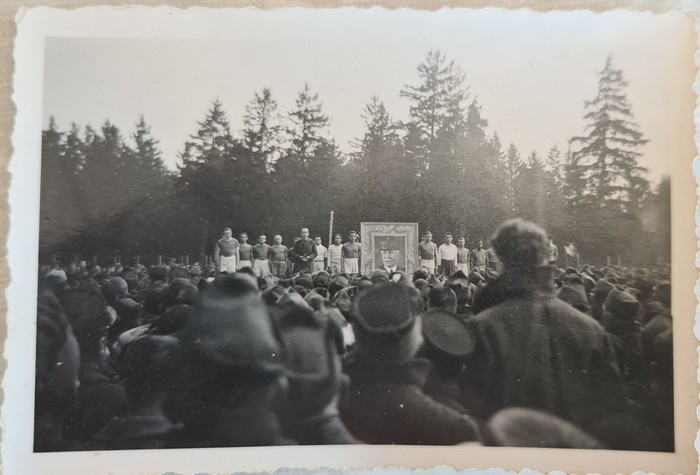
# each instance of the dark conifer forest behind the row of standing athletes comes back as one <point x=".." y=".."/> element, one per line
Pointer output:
<point x="443" y="168"/>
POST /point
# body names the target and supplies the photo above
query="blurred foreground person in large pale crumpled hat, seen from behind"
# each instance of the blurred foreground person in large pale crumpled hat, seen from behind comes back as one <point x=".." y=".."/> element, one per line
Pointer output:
<point x="230" y="359"/>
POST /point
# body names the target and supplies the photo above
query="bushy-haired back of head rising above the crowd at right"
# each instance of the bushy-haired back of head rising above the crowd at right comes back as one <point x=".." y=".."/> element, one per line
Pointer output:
<point x="520" y="244"/>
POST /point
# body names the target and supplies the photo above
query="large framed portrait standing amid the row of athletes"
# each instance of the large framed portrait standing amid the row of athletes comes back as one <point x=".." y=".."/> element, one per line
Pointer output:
<point x="393" y="245"/>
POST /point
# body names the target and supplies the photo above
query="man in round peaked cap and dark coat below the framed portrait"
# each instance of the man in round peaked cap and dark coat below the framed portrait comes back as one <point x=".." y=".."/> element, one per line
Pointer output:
<point x="385" y="403"/>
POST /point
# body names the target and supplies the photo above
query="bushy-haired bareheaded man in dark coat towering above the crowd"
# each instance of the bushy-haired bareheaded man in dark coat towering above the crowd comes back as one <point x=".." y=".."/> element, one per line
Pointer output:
<point x="534" y="350"/>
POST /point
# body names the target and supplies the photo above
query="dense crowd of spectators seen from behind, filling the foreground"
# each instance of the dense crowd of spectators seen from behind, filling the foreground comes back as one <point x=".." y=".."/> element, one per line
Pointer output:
<point x="525" y="354"/>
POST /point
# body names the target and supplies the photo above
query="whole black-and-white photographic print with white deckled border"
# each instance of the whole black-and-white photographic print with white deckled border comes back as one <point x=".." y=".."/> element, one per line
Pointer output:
<point x="331" y="227"/>
